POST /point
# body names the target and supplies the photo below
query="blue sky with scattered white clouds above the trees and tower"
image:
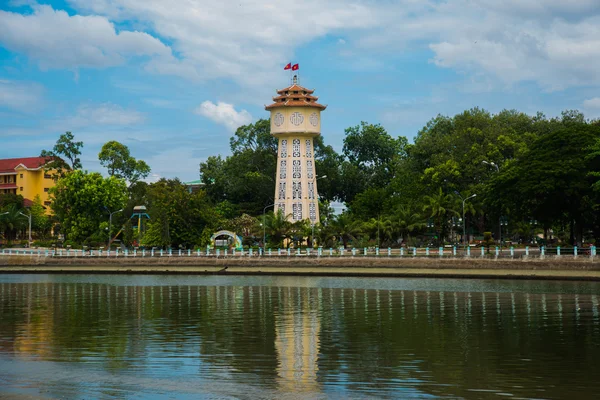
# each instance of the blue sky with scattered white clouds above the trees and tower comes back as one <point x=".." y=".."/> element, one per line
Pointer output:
<point x="172" y="80"/>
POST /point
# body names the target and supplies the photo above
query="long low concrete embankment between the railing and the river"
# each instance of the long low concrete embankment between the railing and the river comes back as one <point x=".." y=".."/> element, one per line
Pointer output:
<point x="563" y="268"/>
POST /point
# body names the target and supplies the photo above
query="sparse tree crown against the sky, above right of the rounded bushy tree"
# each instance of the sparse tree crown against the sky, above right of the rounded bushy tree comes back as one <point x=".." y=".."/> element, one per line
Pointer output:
<point x="117" y="159"/>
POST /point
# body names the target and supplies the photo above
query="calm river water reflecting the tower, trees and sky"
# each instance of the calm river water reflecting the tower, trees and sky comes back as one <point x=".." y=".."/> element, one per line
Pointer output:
<point x="273" y="339"/>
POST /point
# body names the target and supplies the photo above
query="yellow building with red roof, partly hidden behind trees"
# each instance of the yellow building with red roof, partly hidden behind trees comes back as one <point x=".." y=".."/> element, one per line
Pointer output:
<point x="26" y="176"/>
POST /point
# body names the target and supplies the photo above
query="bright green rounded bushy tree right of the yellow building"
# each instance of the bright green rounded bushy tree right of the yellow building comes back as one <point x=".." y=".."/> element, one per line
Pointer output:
<point x="79" y="201"/>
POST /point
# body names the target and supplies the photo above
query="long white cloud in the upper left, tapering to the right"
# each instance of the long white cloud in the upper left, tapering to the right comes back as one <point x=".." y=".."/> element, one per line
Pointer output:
<point x="56" y="40"/>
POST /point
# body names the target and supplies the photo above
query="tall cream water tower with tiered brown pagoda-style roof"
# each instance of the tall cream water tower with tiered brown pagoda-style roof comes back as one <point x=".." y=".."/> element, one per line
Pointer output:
<point x="296" y="121"/>
